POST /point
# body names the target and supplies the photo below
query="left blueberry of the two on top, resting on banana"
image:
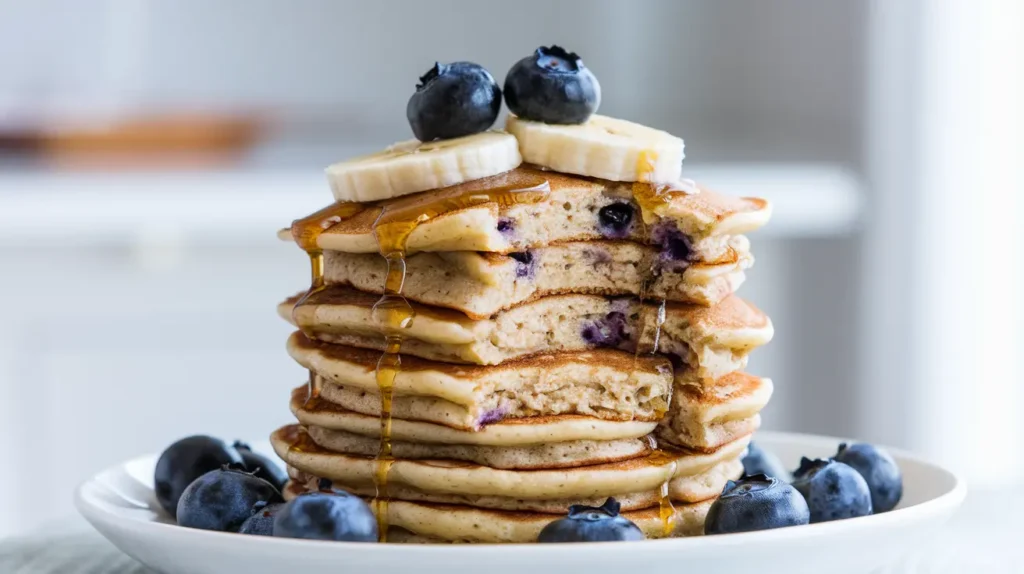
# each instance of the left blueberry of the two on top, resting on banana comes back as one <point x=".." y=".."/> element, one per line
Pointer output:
<point x="453" y="101"/>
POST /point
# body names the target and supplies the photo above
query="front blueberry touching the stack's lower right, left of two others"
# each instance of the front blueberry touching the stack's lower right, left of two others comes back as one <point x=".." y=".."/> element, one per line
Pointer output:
<point x="756" y="503"/>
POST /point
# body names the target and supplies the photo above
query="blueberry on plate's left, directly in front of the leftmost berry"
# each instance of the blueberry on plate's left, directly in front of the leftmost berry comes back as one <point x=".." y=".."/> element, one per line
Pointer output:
<point x="225" y="499"/>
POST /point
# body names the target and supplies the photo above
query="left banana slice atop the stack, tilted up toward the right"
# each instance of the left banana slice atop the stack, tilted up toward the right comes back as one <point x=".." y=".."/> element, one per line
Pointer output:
<point x="414" y="166"/>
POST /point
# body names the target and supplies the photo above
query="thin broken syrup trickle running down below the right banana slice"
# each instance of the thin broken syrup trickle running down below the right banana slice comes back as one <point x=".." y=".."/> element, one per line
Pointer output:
<point x="653" y="199"/>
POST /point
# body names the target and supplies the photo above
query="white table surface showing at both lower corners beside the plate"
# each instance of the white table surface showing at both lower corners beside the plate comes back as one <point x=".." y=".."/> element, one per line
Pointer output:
<point x="984" y="539"/>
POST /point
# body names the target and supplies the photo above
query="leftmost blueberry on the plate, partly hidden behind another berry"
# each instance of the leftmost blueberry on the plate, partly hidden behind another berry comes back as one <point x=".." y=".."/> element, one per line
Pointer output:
<point x="185" y="462"/>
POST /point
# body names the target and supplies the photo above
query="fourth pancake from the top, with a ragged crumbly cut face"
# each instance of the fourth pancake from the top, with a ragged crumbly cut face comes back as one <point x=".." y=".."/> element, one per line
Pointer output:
<point x="604" y="383"/>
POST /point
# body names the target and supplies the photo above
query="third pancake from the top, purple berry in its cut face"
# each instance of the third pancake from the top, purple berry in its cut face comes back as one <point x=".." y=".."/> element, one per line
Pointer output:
<point x="713" y="341"/>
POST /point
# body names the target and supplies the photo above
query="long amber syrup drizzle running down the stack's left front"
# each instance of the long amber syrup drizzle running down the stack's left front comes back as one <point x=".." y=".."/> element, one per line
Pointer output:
<point x="394" y="227"/>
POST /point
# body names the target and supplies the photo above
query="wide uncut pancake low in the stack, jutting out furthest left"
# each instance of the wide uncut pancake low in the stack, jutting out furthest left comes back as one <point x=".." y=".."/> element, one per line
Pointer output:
<point x="452" y="477"/>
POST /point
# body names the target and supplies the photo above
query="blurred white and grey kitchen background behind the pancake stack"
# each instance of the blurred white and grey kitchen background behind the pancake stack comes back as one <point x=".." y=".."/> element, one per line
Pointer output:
<point x="139" y="289"/>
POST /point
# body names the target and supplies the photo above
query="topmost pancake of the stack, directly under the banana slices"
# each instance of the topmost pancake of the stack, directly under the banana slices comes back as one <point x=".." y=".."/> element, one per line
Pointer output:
<point x="571" y="213"/>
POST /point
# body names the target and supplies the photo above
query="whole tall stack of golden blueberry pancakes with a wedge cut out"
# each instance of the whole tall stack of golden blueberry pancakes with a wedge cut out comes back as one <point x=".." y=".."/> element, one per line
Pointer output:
<point x="546" y="366"/>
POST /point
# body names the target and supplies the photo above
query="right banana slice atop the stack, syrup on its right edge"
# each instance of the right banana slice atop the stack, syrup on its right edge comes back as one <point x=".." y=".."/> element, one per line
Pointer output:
<point x="604" y="148"/>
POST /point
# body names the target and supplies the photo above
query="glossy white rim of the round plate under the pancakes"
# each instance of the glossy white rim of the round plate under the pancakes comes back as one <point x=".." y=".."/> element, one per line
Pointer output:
<point x="946" y="504"/>
